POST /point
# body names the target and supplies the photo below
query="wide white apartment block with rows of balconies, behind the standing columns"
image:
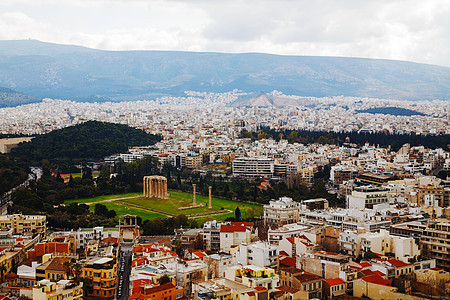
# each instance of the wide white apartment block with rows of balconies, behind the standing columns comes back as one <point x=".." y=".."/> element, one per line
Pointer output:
<point x="257" y="166"/>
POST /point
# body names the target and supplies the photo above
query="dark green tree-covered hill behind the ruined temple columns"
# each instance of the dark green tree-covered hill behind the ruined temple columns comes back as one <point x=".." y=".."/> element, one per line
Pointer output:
<point x="88" y="141"/>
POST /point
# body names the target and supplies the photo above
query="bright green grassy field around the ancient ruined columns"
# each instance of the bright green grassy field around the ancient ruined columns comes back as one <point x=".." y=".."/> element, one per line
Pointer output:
<point x="150" y="208"/>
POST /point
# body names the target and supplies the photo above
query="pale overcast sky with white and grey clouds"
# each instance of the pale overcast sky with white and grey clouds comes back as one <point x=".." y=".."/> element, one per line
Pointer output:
<point x="414" y="30"/>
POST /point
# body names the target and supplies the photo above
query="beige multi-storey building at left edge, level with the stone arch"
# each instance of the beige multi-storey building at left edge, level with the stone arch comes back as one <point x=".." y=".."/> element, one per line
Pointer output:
<point x="24" y="224"/>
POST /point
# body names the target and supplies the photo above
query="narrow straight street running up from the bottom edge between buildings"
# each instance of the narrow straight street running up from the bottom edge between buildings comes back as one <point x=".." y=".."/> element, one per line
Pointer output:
<point x="123" y="271"/>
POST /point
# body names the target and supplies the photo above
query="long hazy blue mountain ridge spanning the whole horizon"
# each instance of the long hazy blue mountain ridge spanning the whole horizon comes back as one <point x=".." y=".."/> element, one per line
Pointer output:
<point x="78" y="73"/>
